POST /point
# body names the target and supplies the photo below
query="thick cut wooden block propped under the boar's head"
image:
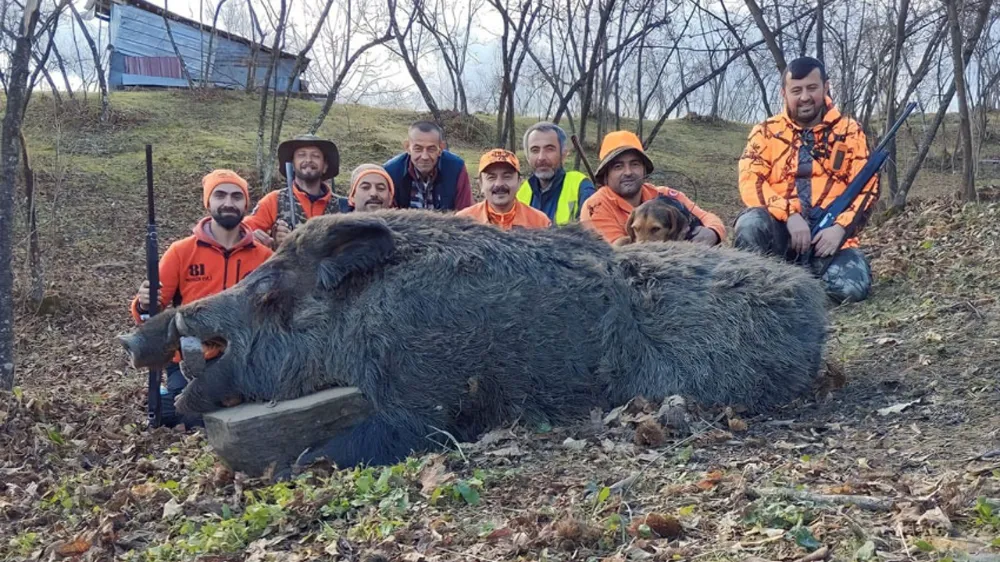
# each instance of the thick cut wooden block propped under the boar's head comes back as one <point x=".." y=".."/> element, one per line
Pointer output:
<point x="250" y="437"/>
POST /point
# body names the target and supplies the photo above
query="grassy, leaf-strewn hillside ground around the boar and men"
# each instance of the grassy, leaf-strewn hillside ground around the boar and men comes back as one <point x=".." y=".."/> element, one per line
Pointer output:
<point x="905" y="423"/>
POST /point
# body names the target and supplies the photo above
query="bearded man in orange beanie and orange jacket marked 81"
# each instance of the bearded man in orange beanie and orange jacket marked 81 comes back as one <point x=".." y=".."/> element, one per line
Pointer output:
<point x="219" y="253"/>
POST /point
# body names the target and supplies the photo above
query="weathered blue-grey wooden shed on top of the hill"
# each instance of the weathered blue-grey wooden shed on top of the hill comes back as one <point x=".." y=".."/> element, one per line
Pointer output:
<point x="142" y="55"/>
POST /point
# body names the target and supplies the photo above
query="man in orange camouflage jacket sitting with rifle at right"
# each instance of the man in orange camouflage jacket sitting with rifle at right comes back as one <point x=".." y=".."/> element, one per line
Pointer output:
<point x="794" y="166"/>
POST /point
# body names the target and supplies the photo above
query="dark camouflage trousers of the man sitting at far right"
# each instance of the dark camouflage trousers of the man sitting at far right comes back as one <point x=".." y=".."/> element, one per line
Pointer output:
<point x="846" y="275"/>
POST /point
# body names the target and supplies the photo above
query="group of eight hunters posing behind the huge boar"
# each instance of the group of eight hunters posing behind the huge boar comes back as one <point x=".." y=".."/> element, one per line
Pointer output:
<point x="795" y="163"/>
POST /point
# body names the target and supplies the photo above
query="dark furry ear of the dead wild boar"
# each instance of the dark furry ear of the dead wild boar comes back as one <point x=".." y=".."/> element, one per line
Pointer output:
<point x="354" y="247"/>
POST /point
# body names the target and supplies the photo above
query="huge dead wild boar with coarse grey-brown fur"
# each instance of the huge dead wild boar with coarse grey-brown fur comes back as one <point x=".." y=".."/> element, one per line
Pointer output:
<point x="445" y="324"/>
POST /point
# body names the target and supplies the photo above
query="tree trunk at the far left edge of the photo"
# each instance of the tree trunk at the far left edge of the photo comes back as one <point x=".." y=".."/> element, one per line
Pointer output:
<point x="17" y="84"/>
